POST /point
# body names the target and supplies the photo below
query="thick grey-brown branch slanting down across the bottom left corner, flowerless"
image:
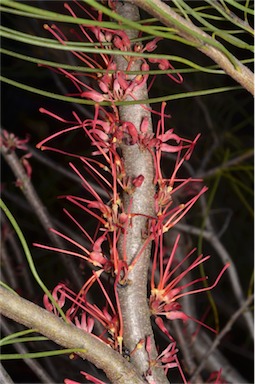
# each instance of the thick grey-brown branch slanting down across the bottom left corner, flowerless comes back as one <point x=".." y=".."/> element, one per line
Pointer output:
<point x="118" y="370"/>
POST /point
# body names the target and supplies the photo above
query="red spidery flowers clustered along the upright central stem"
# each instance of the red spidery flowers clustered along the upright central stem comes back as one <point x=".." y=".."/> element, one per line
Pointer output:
<point x="107" y="134"/>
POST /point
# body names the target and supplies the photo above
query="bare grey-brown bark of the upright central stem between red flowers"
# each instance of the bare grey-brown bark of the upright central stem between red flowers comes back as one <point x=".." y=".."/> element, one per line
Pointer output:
<point x="133" y="297"/>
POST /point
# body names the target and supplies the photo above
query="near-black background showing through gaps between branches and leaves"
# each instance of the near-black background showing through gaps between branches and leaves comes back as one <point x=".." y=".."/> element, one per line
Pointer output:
<point x="225" y="122"/>
